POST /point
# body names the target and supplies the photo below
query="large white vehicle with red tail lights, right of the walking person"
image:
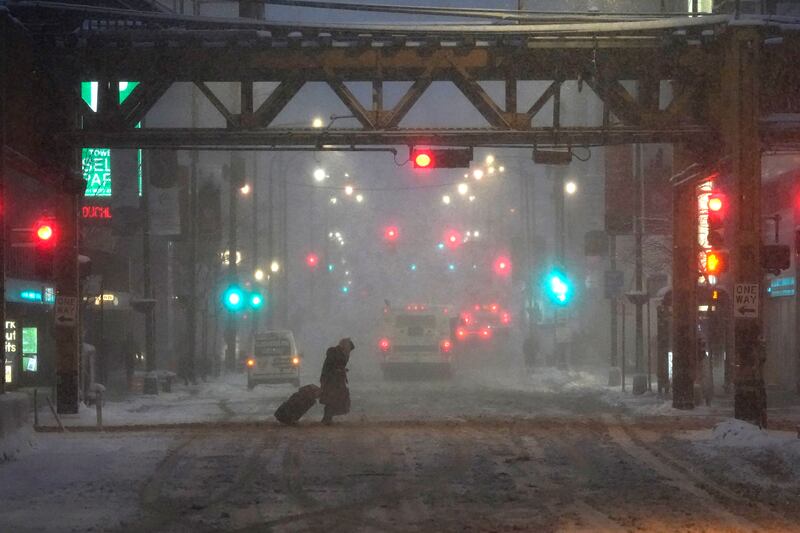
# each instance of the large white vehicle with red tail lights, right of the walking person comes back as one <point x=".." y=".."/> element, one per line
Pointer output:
<point x="416" y="337"/>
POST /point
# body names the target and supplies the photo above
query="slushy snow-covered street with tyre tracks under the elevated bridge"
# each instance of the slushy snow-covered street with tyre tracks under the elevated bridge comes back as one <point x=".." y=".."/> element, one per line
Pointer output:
<point x="547" y="453"/>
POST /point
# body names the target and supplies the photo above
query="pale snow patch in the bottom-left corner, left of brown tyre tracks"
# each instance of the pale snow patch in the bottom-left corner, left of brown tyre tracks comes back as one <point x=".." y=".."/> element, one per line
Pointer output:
<point x="75" y="482"/>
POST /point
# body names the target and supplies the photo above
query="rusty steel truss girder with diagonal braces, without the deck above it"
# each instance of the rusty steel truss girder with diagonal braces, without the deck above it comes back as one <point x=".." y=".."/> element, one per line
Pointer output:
<point x="652" y="121"/>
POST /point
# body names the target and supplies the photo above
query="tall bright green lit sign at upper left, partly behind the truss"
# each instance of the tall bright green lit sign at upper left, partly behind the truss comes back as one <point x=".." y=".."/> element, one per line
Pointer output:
<point x="96" y="162"/>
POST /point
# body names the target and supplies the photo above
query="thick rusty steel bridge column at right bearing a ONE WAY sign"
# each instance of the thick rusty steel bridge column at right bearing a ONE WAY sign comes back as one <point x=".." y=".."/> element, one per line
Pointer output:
<point x="740" y="130"/>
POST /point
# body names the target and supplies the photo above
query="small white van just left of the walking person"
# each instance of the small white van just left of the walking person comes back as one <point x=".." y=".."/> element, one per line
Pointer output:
<point x="275" y="359"/>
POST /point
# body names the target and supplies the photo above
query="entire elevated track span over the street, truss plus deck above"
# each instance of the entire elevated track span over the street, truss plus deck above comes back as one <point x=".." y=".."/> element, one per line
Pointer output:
<point x="653" y="78"/>
